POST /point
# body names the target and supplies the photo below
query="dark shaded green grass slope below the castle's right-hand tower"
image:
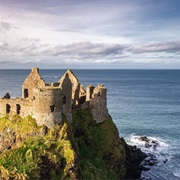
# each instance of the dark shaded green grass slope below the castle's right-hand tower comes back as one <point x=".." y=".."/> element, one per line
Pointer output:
<point x="100" y="147"/>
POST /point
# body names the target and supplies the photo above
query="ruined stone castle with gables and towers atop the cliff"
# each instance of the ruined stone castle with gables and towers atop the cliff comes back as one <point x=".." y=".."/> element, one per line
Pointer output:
<point x="46" y="102"/>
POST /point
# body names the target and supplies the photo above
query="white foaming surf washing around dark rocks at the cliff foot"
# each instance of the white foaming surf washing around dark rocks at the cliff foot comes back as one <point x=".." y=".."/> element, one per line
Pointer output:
<point x="161" y="161"/>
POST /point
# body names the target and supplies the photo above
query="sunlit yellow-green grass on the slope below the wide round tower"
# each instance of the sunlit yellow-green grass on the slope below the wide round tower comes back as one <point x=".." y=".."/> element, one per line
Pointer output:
<point x="52" y="153"/>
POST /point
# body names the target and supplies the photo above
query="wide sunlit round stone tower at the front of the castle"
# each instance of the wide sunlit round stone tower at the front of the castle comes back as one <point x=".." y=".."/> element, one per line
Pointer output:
<point x="47" y="106"/>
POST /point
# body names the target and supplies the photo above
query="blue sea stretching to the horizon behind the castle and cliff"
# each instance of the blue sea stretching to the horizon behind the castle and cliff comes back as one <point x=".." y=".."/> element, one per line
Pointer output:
<point x="142" y="103"/>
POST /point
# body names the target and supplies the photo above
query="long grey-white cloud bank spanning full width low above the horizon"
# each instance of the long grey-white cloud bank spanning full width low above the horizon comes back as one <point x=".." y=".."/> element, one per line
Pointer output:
<point x="33" y="50"/>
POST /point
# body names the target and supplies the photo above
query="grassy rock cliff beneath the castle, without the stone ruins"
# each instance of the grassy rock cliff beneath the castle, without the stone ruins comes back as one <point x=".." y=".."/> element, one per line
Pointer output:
<point x="83" y="149"/>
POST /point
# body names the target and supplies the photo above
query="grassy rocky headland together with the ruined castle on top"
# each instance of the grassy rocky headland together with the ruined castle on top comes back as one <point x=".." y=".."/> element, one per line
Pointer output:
<point x="59" y="130"/>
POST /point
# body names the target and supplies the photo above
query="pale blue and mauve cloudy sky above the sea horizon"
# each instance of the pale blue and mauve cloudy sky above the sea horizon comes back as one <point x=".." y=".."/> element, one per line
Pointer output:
<point x="90" y="34"/>
